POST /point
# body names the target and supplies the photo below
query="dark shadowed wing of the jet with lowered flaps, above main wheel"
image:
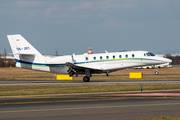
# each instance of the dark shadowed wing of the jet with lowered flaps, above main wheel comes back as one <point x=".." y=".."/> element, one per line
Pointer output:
<point x="73" y="69"/>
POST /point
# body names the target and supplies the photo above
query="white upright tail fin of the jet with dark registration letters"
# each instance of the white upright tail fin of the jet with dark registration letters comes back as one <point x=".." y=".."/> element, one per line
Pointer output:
<point x="23" y="51"/>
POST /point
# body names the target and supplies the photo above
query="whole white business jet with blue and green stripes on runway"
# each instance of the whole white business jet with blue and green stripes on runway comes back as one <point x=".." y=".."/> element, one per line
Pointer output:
<point x="28" y="57"/>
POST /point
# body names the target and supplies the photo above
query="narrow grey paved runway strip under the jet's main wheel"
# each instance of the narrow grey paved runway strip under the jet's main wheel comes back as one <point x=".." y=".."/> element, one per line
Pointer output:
<point x="23" y="83"/>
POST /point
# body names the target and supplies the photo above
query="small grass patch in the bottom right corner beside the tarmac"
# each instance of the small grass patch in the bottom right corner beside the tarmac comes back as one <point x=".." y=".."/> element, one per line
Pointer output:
<point x="162" y="118"/>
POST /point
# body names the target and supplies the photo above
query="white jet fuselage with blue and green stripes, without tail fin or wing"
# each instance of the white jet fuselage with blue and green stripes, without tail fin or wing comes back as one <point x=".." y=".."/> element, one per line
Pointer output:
<point x="102" y="61"/>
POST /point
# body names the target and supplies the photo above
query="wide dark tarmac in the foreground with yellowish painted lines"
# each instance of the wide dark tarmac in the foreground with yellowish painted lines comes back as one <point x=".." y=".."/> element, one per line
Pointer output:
<point x="104" y="106"/>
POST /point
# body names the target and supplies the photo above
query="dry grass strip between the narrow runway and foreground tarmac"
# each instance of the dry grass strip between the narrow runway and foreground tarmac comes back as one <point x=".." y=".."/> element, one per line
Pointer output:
<point x="62" y="89"/>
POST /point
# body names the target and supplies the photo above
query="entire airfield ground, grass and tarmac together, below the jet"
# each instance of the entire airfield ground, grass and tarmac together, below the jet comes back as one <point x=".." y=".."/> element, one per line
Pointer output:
<point x="105" y="105"/>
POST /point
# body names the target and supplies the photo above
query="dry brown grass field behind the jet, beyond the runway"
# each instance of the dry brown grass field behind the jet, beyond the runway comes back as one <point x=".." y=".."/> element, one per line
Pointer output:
<point x="148" y="74"/>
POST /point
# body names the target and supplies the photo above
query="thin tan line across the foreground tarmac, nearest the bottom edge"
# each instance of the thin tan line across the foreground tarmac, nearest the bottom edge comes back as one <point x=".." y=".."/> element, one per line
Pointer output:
<point x="40" y="110"/>
